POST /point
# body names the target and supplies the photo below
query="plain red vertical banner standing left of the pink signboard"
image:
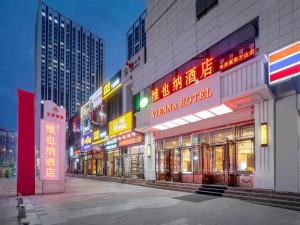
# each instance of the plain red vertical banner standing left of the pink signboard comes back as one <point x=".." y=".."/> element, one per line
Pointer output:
<point x="26" y="168"/>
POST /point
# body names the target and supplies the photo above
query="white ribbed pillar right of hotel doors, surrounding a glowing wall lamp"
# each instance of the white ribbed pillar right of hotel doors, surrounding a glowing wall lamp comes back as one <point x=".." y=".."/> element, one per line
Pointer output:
<point x="264" y="156"/>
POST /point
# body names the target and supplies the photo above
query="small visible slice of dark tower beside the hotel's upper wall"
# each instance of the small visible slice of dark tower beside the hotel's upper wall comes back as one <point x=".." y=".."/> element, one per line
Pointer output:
<point x="136" y="36"/>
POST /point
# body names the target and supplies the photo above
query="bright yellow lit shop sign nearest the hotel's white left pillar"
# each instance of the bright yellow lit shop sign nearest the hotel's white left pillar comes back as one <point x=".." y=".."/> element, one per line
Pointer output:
<point x="121" y="125"/>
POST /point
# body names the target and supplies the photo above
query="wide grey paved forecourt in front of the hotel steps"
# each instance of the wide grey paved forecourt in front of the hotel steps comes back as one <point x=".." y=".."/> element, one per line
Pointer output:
<point x="97" y="202"/>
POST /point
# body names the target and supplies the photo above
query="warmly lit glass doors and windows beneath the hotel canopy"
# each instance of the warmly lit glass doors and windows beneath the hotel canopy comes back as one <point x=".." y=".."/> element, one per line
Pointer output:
<point x="221" y="156"/>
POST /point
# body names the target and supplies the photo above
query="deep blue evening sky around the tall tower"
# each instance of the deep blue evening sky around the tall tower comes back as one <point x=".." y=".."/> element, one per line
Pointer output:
<point x="110" y="19"/>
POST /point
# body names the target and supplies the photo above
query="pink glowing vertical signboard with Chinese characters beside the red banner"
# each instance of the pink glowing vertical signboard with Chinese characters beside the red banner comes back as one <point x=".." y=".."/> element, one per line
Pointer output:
<point x="53" y="148"/>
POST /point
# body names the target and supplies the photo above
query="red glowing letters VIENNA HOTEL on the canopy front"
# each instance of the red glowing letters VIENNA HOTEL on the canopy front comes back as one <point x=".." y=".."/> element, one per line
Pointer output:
<point x="183" y="102"/>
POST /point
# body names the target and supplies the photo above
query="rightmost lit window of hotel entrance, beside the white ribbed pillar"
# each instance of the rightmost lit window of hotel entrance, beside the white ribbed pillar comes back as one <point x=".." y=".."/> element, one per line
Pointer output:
<point x="245" y="156"/>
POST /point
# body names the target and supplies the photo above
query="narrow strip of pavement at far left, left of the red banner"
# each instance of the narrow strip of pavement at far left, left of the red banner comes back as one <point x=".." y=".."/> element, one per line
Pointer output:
<point x="8" y="202"/>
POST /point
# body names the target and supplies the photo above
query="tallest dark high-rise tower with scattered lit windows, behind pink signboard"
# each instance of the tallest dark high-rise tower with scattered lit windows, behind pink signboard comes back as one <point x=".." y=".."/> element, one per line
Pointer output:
<point x="68" y="60"/>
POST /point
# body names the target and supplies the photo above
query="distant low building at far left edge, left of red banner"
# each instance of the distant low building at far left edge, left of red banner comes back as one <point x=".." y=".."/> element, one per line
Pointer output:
<point x="7" y="146"/>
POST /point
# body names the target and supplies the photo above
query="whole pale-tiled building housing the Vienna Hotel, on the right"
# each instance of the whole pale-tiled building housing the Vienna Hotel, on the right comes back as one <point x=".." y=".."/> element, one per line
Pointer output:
<point x="210" y="114"/>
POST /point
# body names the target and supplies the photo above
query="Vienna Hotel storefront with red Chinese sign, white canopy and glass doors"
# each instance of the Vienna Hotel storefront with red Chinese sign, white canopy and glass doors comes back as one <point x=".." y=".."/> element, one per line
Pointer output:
<point x="211" y="120"/>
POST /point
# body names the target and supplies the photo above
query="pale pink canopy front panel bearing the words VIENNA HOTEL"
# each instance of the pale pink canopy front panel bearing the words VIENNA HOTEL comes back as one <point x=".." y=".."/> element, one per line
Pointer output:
<point x="197" y="97"/>
